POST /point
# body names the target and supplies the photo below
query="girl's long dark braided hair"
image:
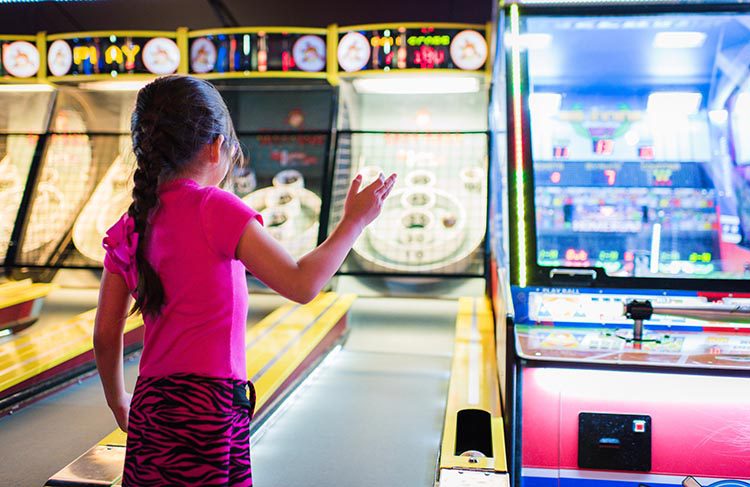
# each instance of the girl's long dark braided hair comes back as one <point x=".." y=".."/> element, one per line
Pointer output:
<point x="174" y="118"/>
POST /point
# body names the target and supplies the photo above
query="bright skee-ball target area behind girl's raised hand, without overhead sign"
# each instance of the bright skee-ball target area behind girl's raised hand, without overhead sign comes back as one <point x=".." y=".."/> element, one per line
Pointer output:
<point x="434" y="221"/>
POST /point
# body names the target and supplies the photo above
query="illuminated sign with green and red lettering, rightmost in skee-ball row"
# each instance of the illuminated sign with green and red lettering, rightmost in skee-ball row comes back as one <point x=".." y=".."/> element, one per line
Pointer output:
<point x="412" y="48"/>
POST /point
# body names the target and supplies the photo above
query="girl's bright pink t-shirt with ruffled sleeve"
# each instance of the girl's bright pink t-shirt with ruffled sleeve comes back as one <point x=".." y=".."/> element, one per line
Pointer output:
<point x="192" y="241"/>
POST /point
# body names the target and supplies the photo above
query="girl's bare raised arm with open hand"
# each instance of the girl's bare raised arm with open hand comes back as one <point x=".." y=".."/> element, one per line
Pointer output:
<point x="302" y="280"/>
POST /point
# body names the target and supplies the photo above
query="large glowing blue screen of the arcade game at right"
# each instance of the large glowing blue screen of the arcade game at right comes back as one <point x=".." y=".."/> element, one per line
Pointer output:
<point x="640" y="144"/>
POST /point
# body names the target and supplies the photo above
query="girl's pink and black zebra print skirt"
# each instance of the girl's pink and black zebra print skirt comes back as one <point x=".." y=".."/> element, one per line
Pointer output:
<point x="189" y="430"/>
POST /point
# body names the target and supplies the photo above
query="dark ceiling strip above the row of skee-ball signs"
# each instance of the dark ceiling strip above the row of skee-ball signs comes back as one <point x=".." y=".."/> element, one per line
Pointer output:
<point x="53" y="17"/>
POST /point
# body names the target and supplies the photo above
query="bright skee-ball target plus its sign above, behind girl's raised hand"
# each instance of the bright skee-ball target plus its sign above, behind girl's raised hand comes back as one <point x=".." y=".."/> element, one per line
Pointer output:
<point x="395" y="115"/>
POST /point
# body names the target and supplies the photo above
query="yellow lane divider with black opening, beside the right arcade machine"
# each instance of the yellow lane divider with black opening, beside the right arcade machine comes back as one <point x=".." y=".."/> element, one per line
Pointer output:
<point x="474" y="327"/>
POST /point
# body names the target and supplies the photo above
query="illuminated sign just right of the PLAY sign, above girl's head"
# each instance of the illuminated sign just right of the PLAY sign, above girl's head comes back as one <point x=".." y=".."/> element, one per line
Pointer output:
<point x="257" y="52"/>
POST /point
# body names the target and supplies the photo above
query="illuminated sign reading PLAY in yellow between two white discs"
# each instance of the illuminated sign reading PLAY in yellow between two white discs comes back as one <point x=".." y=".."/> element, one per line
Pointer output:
<point x="112" y="55"/>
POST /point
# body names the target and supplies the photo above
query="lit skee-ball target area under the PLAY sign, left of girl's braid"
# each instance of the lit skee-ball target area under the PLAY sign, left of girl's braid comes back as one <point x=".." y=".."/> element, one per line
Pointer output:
<point x="83" y="183"/>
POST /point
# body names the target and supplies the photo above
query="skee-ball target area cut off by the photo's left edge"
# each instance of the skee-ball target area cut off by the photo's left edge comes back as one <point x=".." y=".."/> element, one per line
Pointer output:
<point x="24" y="113"/>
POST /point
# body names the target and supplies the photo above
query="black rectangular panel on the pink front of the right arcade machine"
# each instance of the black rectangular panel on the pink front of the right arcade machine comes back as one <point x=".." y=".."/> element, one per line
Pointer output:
<point x="614" y="441"/>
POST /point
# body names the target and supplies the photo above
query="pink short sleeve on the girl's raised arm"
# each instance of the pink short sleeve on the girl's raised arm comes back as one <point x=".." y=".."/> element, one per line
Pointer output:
<point x="224" y="217"/>
